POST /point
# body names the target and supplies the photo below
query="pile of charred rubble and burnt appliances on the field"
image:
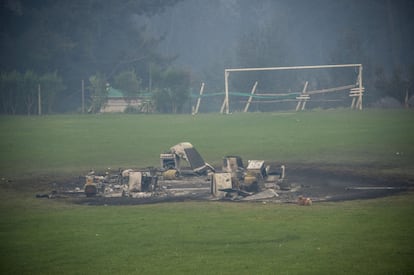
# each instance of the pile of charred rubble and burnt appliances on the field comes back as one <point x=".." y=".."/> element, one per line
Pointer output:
<point x="234" y="181"/>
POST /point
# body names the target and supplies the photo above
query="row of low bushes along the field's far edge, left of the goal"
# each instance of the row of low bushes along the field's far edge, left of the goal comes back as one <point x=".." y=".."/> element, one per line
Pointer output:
<point x="29" y="93"/>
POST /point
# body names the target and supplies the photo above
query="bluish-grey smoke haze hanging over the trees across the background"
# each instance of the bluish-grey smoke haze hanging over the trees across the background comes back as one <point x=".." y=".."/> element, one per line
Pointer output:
<point x="199" y="39"/>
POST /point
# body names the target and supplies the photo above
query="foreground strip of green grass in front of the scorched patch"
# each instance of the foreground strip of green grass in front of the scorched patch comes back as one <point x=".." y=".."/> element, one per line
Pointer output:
<point x="359" y="237"/>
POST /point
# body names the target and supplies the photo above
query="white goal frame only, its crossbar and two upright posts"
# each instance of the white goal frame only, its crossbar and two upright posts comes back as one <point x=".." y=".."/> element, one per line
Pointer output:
<point x="355" y="93"/>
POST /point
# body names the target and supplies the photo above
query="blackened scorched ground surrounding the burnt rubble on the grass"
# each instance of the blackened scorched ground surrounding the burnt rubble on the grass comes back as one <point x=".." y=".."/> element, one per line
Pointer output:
<point x="321" y="183"/>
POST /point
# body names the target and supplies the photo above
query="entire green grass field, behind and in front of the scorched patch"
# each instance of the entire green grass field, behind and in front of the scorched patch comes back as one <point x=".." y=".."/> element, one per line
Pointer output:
<point x="354" y="237"/>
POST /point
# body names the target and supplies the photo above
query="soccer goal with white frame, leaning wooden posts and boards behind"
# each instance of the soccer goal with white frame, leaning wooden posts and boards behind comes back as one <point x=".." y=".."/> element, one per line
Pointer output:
<point x="307" y="92"/>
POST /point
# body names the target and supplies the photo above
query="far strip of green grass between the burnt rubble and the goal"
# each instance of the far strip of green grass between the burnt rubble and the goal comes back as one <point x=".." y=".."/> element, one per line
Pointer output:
<point x="70" y="144"/>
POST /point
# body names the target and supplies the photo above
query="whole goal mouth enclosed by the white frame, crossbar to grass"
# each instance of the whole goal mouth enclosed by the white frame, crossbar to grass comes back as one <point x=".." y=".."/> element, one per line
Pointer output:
<point x="297" y="87"/>
